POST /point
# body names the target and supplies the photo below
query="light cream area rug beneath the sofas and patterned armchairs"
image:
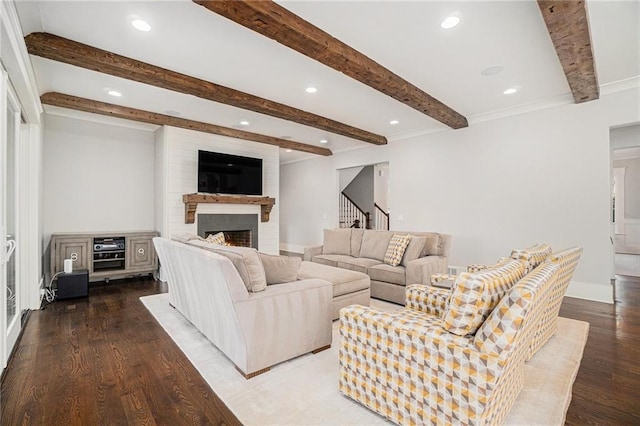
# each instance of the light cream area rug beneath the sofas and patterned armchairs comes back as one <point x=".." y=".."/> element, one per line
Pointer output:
<point x="305" y="390"/>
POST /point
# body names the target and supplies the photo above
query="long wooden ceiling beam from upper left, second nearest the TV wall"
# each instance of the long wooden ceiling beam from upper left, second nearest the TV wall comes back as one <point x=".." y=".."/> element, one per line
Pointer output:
<point x="71" y="52"/>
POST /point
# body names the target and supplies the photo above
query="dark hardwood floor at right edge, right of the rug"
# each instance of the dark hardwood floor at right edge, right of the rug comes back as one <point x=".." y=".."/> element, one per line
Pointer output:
<point x="607" y="388"/>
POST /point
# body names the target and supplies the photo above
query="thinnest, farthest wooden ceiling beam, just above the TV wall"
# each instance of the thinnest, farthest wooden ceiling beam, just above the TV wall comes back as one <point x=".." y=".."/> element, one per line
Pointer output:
<point x="111" y="110"/>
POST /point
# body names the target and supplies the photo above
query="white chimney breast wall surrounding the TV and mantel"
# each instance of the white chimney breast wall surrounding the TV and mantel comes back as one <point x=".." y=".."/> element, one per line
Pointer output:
<point x="178" y="169"/>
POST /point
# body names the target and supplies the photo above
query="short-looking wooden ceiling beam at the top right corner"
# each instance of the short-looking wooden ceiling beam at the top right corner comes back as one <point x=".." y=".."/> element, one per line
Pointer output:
<point x="568" y="25"/>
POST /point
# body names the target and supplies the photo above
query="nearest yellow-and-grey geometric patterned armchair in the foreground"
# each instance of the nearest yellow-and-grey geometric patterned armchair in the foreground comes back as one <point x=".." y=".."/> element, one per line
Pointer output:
<point x="410" y="368"/>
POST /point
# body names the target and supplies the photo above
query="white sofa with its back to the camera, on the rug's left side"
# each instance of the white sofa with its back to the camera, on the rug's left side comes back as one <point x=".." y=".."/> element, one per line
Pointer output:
<point x="255" y="329"/>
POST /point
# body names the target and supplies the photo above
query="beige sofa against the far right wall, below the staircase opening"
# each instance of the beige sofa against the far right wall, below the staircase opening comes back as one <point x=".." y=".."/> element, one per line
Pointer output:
<point x="363" y="250"/>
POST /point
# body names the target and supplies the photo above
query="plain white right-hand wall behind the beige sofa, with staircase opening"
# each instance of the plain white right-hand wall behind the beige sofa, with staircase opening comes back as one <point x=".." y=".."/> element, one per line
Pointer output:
<point x="542" y="176"/>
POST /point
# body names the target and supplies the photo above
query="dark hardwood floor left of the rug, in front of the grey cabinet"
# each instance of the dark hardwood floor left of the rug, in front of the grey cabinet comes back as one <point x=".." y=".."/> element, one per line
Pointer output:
<point x="104" y="360"/>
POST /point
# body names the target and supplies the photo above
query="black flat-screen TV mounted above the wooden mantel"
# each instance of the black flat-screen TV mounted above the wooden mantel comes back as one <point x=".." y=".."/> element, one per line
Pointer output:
<point x="229" y="174"/>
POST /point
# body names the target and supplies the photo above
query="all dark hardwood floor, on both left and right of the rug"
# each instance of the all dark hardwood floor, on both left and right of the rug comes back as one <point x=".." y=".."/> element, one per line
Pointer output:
<point x="104" y="360"/>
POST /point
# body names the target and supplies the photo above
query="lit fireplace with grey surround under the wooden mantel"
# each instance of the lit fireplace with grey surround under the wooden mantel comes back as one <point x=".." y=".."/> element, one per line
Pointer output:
<point x="239" y="229"/>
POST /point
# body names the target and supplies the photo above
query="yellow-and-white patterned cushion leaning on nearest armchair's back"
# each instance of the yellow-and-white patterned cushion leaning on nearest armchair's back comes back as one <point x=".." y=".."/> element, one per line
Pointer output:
<point x="474" y="295"/>
